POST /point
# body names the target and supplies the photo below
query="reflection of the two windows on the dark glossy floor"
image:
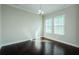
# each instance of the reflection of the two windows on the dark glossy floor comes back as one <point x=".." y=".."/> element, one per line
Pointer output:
<point x="52" y="49"/>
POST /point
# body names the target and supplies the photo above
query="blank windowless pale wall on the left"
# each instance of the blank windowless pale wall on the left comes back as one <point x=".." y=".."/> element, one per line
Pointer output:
<point x="18" y="25"/>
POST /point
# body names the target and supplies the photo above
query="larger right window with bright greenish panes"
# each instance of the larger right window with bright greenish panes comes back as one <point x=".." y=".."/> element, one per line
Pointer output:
<point x="59" y="25"/>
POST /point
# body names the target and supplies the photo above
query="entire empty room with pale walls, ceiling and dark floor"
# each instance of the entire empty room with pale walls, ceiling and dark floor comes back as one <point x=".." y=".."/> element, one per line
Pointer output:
<point x="39" y="29"/>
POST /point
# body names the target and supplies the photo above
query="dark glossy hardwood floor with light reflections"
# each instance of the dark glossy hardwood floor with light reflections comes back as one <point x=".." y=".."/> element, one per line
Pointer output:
<point x="43" y="47"/>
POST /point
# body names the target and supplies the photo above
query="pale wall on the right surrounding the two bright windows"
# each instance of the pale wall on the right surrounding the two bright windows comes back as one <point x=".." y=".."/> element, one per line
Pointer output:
<point x="70" y="36"/>
